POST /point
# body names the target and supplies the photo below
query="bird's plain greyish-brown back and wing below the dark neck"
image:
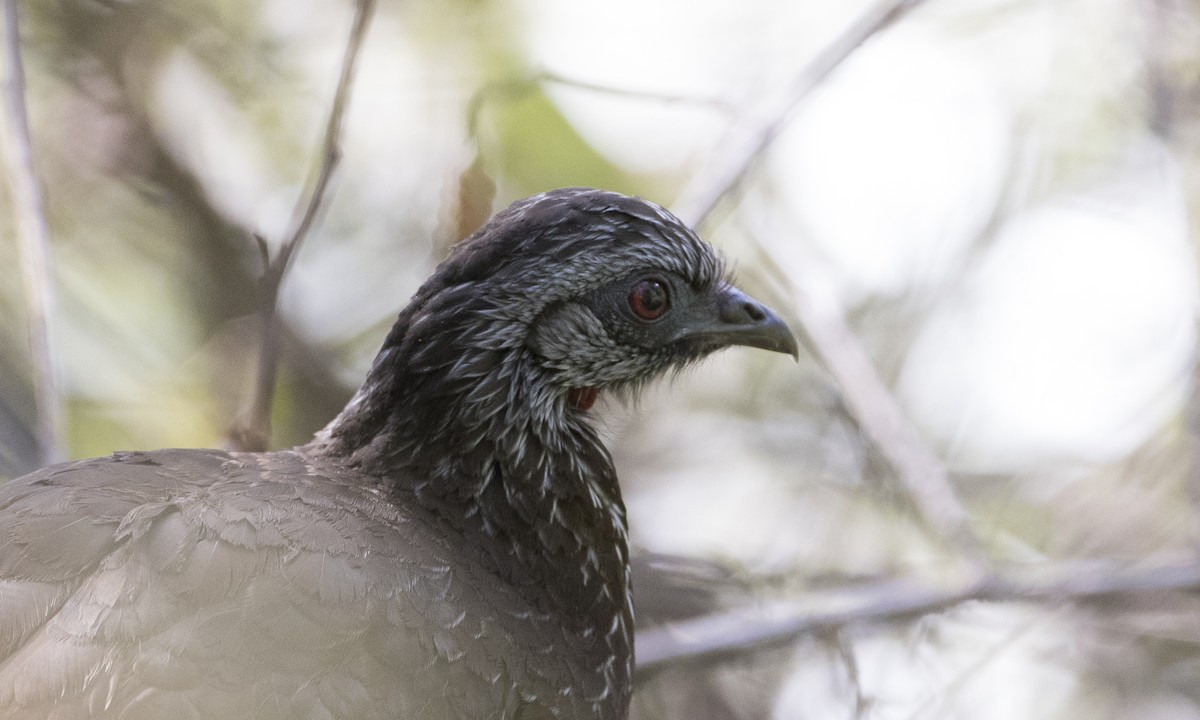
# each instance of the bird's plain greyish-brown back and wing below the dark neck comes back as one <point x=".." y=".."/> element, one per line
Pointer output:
<point x="141" y="587"/>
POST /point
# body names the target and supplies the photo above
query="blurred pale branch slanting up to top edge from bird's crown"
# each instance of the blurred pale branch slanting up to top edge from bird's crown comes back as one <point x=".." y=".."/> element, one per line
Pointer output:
<point x="749" y="142"/>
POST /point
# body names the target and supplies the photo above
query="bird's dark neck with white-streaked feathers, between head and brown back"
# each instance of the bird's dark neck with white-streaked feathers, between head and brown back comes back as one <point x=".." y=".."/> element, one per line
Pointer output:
<point x="476" y="439"/>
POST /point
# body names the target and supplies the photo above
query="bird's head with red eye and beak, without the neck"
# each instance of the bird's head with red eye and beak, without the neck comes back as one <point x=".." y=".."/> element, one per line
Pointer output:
<point x="605" y="291"/>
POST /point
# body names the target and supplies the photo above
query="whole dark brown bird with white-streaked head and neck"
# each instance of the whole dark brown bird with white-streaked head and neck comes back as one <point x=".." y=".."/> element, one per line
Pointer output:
<point x="451" y="547"/>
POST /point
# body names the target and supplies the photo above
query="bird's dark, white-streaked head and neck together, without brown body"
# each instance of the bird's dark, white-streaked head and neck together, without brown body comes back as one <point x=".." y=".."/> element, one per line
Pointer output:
<point x="476" y="409"/>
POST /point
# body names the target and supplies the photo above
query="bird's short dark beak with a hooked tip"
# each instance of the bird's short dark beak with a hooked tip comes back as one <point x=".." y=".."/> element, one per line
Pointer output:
<point x="730" y="317"/>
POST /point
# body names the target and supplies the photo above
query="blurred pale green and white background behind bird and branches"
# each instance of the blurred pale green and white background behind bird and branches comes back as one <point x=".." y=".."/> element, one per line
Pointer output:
<point x="994" y="200"/>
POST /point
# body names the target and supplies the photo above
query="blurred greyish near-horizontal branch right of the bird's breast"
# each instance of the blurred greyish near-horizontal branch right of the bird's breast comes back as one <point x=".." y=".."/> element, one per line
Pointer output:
<point x="743" y="632"/>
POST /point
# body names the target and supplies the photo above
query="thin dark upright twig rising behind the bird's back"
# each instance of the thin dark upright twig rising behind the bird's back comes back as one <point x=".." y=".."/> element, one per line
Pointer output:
<point x="254" y="434"/>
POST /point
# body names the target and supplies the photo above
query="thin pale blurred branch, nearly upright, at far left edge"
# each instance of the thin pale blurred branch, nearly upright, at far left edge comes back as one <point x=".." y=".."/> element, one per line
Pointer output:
<point x="35" y="247"/>
